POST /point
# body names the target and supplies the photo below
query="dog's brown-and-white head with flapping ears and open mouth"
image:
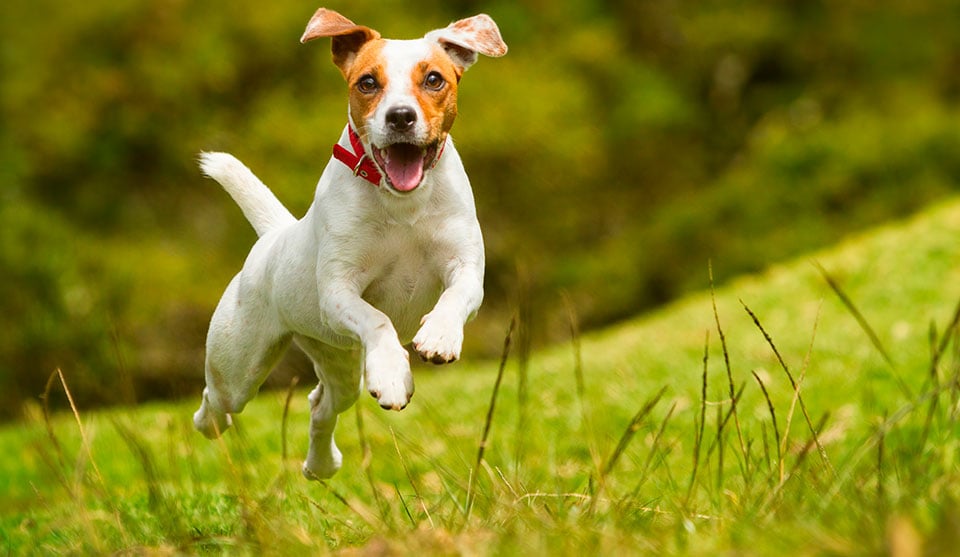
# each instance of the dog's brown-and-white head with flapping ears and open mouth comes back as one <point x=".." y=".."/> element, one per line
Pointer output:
<point x="403" y="94"/>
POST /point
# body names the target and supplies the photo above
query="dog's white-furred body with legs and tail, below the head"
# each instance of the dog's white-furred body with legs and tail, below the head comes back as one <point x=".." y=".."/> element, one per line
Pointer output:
<point x="352" y="281"/>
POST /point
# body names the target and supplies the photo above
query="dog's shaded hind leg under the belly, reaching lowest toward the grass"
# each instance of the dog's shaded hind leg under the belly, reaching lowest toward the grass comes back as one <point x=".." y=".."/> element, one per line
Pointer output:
<point x="339" y="386"/>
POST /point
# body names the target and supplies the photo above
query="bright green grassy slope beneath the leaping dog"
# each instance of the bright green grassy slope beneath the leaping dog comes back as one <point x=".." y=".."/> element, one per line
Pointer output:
<point x="812" y="409"/>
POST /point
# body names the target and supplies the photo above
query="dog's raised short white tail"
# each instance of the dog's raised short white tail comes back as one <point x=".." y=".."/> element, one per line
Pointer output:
<point x="259" y="205"/>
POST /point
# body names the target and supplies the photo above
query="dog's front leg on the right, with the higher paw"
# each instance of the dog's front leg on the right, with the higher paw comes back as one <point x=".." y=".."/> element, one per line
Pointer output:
<point x="440" y="337"/>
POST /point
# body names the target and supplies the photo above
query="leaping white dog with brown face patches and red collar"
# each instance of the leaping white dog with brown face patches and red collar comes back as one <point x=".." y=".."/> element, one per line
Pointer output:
<point x="390" y="249"/>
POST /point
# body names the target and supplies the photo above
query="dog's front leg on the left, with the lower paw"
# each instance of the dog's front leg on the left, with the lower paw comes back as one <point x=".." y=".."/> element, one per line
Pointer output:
<point x="386" y="362"/>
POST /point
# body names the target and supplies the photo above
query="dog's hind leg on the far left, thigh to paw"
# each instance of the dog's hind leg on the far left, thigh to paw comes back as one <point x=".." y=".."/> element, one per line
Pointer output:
<point x="244" y="342"/>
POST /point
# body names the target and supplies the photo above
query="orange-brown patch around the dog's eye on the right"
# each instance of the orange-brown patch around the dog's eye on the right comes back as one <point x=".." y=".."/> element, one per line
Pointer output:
<point x="437" y="97"/>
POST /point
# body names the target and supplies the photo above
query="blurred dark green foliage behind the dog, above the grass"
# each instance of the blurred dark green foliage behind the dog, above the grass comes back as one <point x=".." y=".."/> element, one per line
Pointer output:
<point x="614" y="151"/>
